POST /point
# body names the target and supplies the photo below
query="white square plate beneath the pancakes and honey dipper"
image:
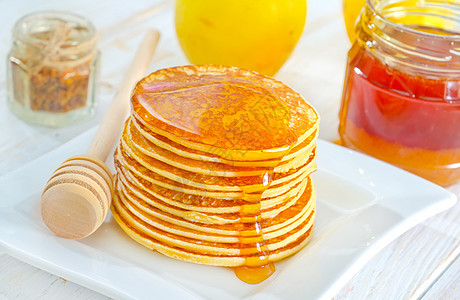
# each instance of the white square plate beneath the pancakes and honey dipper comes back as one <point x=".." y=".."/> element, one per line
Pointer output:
<point x="363" y="204"/>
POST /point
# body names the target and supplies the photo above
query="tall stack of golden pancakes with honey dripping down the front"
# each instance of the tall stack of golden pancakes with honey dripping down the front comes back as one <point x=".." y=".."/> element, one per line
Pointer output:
<point x="213" y="167"/>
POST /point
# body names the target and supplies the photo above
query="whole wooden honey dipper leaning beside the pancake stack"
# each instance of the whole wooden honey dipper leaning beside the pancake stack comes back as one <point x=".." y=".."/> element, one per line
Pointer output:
<point x="77" y="197"/>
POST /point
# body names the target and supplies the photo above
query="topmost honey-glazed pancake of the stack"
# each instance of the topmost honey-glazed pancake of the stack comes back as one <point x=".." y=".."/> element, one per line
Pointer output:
<point x="236" y="114"/>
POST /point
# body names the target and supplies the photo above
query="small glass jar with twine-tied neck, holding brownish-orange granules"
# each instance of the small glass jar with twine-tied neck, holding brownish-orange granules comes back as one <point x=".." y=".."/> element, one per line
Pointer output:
<point x="52" y="68"/>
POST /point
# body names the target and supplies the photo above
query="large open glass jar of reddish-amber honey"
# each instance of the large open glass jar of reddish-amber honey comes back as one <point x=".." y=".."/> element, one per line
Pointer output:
<point x="401" y="98"/>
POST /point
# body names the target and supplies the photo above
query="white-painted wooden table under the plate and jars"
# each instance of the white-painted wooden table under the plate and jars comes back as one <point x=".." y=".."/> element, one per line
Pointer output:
<point x="420" y="264"/>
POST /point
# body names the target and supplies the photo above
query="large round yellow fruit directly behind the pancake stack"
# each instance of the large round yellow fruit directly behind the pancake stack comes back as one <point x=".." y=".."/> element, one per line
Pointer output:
<point x="252" y="34"/>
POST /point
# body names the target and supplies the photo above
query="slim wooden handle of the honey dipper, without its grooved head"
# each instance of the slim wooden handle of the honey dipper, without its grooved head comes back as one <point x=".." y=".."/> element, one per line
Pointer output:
<point x="110" y="126"/>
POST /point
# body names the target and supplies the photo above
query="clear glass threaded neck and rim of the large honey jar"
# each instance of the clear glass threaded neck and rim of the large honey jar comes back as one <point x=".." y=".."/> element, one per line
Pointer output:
<point x="419" y="38"/>
